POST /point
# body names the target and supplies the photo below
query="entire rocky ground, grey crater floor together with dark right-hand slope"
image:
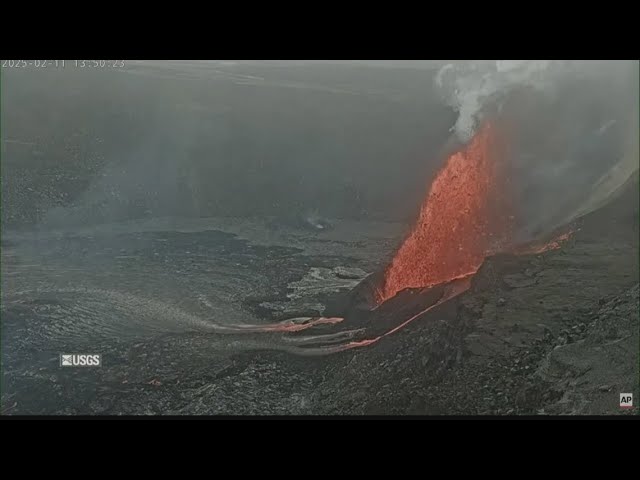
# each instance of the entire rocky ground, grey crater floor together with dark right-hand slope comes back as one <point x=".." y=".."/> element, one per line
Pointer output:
<point x="553" y="333"/>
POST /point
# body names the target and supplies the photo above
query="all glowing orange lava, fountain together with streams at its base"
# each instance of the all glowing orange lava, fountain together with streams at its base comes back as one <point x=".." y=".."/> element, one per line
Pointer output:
<point x="466" y="215"/>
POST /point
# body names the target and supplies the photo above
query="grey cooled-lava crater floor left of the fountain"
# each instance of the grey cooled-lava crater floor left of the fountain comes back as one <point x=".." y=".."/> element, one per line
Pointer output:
<point x="153" y="299"/>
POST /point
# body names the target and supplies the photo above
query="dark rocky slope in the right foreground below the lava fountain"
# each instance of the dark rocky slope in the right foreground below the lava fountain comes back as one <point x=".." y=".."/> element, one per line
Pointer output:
<point x="555" y="333"/>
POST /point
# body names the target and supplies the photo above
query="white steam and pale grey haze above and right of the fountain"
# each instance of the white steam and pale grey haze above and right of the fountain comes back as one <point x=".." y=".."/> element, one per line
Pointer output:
<point x="576" y="143"/>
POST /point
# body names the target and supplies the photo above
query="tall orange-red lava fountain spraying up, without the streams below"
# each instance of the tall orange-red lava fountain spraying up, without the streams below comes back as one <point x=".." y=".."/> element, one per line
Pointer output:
<point x="465" y="216"/>
